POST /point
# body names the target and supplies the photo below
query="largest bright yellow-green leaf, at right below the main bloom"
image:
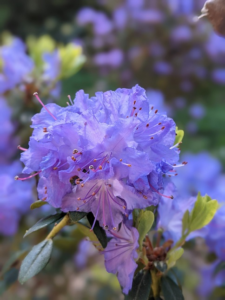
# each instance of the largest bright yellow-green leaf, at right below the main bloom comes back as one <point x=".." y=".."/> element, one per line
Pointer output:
<point x="203" y="212"/>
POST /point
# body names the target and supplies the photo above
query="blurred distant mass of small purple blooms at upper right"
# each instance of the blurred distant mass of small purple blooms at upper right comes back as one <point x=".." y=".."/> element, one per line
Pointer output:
<point x="185" y="53"/>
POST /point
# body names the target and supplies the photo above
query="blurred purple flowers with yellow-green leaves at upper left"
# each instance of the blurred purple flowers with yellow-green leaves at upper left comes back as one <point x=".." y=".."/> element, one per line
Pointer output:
<point x="41" y="69"/>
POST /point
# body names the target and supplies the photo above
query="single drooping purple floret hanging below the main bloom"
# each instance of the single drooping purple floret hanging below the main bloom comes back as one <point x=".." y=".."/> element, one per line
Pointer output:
<point x="120" y="255"/>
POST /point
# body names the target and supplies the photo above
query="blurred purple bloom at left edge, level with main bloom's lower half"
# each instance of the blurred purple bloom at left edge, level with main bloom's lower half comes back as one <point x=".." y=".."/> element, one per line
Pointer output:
<point x="15" y="198"/>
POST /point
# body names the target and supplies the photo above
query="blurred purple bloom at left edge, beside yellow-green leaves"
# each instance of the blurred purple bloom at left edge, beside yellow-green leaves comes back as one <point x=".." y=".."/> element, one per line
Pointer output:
<point x="17" y="65"/>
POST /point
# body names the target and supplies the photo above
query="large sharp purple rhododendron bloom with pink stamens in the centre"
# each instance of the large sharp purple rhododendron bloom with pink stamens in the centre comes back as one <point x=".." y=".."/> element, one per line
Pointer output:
<point x="114" y="148"/>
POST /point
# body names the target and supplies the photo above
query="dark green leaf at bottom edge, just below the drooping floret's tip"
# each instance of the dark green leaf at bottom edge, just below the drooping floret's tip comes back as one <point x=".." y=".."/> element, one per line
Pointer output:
<point x="141" y="286"/>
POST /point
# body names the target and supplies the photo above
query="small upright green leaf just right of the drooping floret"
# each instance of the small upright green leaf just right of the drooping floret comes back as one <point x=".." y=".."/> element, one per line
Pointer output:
<point x="144" y="225"/>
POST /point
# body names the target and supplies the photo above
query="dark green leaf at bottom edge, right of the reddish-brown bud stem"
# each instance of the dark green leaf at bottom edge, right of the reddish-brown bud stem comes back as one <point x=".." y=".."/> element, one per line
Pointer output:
<point x="170" y="290"/>
